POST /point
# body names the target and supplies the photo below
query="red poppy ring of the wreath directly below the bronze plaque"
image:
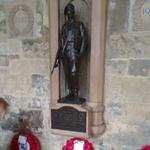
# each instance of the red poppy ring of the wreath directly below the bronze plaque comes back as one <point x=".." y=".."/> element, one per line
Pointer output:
<point x="70" y="144"/>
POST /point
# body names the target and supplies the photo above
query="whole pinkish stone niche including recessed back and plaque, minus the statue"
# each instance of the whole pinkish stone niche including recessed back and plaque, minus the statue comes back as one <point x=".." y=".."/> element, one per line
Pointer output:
<point x="86" y="119"/>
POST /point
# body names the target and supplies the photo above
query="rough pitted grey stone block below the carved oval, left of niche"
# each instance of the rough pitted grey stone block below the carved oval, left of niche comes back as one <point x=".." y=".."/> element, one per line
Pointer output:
<point x="35" y="48"/>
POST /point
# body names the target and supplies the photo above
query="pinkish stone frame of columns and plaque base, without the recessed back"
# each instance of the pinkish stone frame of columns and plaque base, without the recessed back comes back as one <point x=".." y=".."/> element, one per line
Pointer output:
<point x="92" y="111"/>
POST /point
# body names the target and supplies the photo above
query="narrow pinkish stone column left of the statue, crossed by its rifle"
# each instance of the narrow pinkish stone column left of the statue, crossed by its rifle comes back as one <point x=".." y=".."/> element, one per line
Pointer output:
<point x="53" y="22"/>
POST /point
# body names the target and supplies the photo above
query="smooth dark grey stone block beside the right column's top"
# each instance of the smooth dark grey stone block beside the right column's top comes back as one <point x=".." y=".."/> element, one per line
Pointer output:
<point x="116" y="9"/>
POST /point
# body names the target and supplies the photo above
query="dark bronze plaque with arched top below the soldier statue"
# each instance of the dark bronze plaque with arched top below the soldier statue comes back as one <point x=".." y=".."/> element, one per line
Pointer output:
<point x="68" y="118"/>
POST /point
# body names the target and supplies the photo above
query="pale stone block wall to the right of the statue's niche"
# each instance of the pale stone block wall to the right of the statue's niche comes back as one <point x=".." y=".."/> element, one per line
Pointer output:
<point x="127" y="75"/>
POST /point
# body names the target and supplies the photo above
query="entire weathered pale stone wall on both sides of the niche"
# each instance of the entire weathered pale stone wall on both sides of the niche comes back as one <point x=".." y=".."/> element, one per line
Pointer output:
<point x="24" y="74"/>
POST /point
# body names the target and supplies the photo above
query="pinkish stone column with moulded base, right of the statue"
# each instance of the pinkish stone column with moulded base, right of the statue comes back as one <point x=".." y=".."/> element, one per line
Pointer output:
<point x="97" y="65"/>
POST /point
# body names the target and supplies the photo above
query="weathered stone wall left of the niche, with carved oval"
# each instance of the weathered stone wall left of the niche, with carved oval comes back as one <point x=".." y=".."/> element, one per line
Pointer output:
<point x="24" y="66"/>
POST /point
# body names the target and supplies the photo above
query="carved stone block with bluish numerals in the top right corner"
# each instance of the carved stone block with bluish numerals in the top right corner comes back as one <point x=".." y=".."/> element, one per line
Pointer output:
<point x="141" y="15"/>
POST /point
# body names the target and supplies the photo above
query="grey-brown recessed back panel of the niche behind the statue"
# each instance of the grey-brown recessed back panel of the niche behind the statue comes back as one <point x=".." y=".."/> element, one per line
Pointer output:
<point x="82" y="13"/>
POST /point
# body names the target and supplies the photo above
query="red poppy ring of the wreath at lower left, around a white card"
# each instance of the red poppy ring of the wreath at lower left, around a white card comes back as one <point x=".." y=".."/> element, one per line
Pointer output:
<point x="31" y="139"/>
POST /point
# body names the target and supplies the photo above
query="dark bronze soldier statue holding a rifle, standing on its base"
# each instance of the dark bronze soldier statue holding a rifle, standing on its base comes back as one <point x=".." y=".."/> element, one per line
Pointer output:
<point x="73" y="43"/>
